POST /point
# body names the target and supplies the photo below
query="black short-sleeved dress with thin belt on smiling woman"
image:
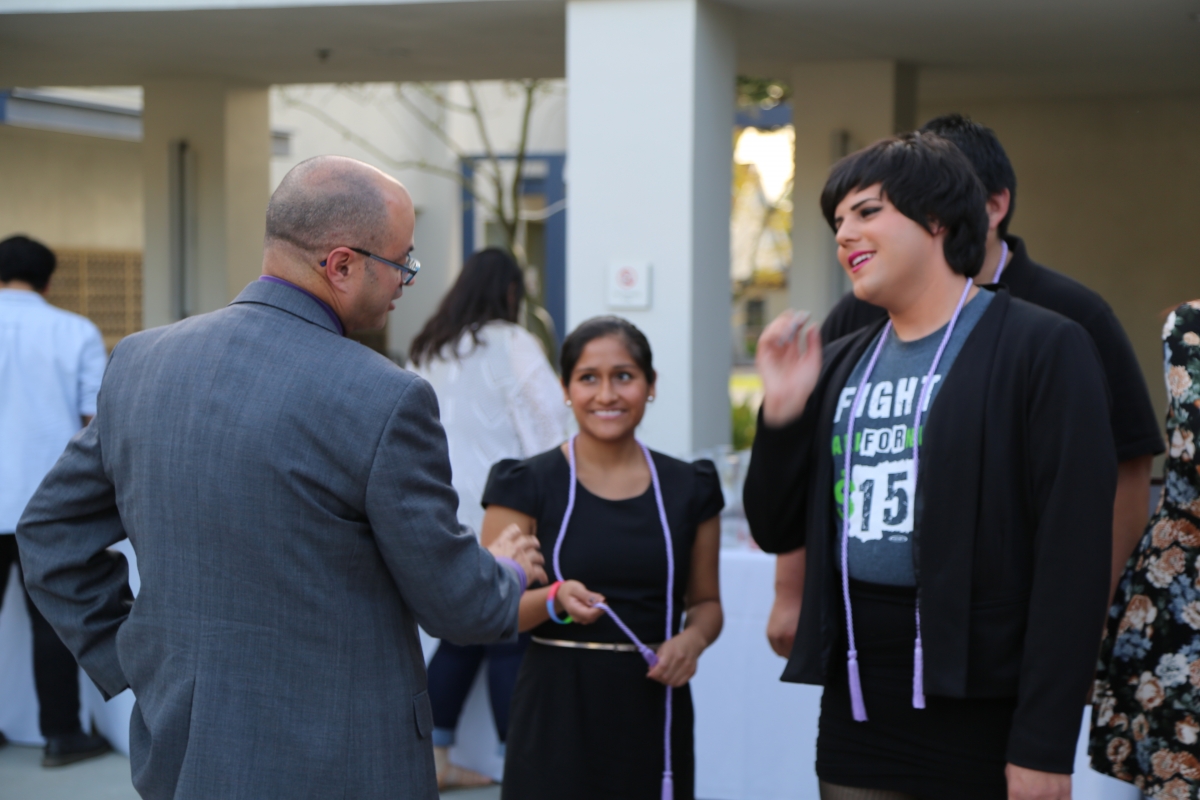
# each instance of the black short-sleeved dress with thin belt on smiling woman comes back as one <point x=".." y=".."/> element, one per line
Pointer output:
<point x="589" y="724"/>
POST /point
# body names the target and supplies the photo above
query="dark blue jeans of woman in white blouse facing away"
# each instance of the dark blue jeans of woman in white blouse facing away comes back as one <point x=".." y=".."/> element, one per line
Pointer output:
<point x="452" y="673"/>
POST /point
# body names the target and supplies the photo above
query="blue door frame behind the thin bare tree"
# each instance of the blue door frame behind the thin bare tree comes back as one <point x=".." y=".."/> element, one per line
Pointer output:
<point x="554" y="189"/>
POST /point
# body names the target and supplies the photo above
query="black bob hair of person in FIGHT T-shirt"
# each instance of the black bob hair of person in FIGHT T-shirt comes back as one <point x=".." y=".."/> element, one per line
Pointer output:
<point x="927" y="179"/>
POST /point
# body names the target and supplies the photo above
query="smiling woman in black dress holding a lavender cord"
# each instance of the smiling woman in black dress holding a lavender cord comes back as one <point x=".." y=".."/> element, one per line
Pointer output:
<point x="589" y="713"/>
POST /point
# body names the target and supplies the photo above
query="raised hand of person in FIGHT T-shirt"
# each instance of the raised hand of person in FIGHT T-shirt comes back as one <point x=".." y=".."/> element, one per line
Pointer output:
<point x="789" y="371"/>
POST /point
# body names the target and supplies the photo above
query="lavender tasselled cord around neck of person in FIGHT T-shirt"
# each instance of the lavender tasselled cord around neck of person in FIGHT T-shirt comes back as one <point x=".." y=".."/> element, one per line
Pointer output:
<point x="919" y="658"/>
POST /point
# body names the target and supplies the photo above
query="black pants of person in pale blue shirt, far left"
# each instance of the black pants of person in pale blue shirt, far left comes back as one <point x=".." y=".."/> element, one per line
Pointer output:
<point x="56" y="671"/>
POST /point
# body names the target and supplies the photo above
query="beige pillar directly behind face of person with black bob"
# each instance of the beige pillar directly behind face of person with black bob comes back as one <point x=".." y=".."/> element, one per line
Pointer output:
<point x="838" y="107"/>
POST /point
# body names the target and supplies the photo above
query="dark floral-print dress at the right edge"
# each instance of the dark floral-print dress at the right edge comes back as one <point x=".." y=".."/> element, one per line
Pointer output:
<point x="1147" y="707"/>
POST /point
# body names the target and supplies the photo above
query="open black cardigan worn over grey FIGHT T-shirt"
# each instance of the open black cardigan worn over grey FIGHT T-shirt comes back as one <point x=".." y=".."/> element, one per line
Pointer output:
<point x="1013" y="525"/>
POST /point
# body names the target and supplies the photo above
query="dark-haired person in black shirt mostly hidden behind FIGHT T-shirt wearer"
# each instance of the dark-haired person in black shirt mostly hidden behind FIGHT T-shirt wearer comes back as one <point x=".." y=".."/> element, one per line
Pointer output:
<point x="1133" y="420"/>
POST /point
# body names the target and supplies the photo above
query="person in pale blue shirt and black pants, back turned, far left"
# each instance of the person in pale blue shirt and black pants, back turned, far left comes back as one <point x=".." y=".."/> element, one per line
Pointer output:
<point x="51" y="366"/>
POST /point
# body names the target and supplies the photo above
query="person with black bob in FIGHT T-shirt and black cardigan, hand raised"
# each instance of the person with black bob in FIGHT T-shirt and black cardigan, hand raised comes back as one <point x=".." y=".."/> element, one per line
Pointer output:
<point x="1012" y="508"/>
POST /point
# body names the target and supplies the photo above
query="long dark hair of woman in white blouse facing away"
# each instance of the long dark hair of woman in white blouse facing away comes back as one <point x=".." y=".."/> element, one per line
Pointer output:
<point x="490" y="287"/>
